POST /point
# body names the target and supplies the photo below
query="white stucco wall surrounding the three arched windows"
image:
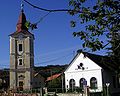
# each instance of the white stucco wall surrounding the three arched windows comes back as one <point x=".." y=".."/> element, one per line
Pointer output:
<point x="91" y="70"/>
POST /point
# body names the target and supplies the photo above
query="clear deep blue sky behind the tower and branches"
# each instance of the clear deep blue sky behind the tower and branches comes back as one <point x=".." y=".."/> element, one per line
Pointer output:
<point x="54" y="43"/>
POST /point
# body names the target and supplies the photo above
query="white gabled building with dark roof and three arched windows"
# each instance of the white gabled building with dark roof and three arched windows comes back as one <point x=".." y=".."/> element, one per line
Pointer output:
<point x="88" y="70"/>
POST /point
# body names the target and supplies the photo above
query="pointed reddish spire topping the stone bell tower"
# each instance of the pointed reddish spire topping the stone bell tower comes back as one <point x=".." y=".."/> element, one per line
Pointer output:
<point x="21" y="21"/>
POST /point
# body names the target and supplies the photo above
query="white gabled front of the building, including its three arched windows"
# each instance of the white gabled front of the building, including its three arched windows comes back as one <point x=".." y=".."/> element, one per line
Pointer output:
<point x="83" y="71"/>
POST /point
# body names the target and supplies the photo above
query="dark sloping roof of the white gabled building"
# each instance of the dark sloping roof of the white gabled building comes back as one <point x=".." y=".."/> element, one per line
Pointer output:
<point x="103" y="61"/>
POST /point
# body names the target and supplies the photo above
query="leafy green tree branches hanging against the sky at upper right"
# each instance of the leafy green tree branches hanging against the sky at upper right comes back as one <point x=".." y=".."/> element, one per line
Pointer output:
<point x="104" y="17"/>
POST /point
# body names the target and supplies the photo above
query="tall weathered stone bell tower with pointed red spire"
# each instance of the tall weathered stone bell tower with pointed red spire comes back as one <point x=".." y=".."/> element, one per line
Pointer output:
<point x="21" y="56"/>
